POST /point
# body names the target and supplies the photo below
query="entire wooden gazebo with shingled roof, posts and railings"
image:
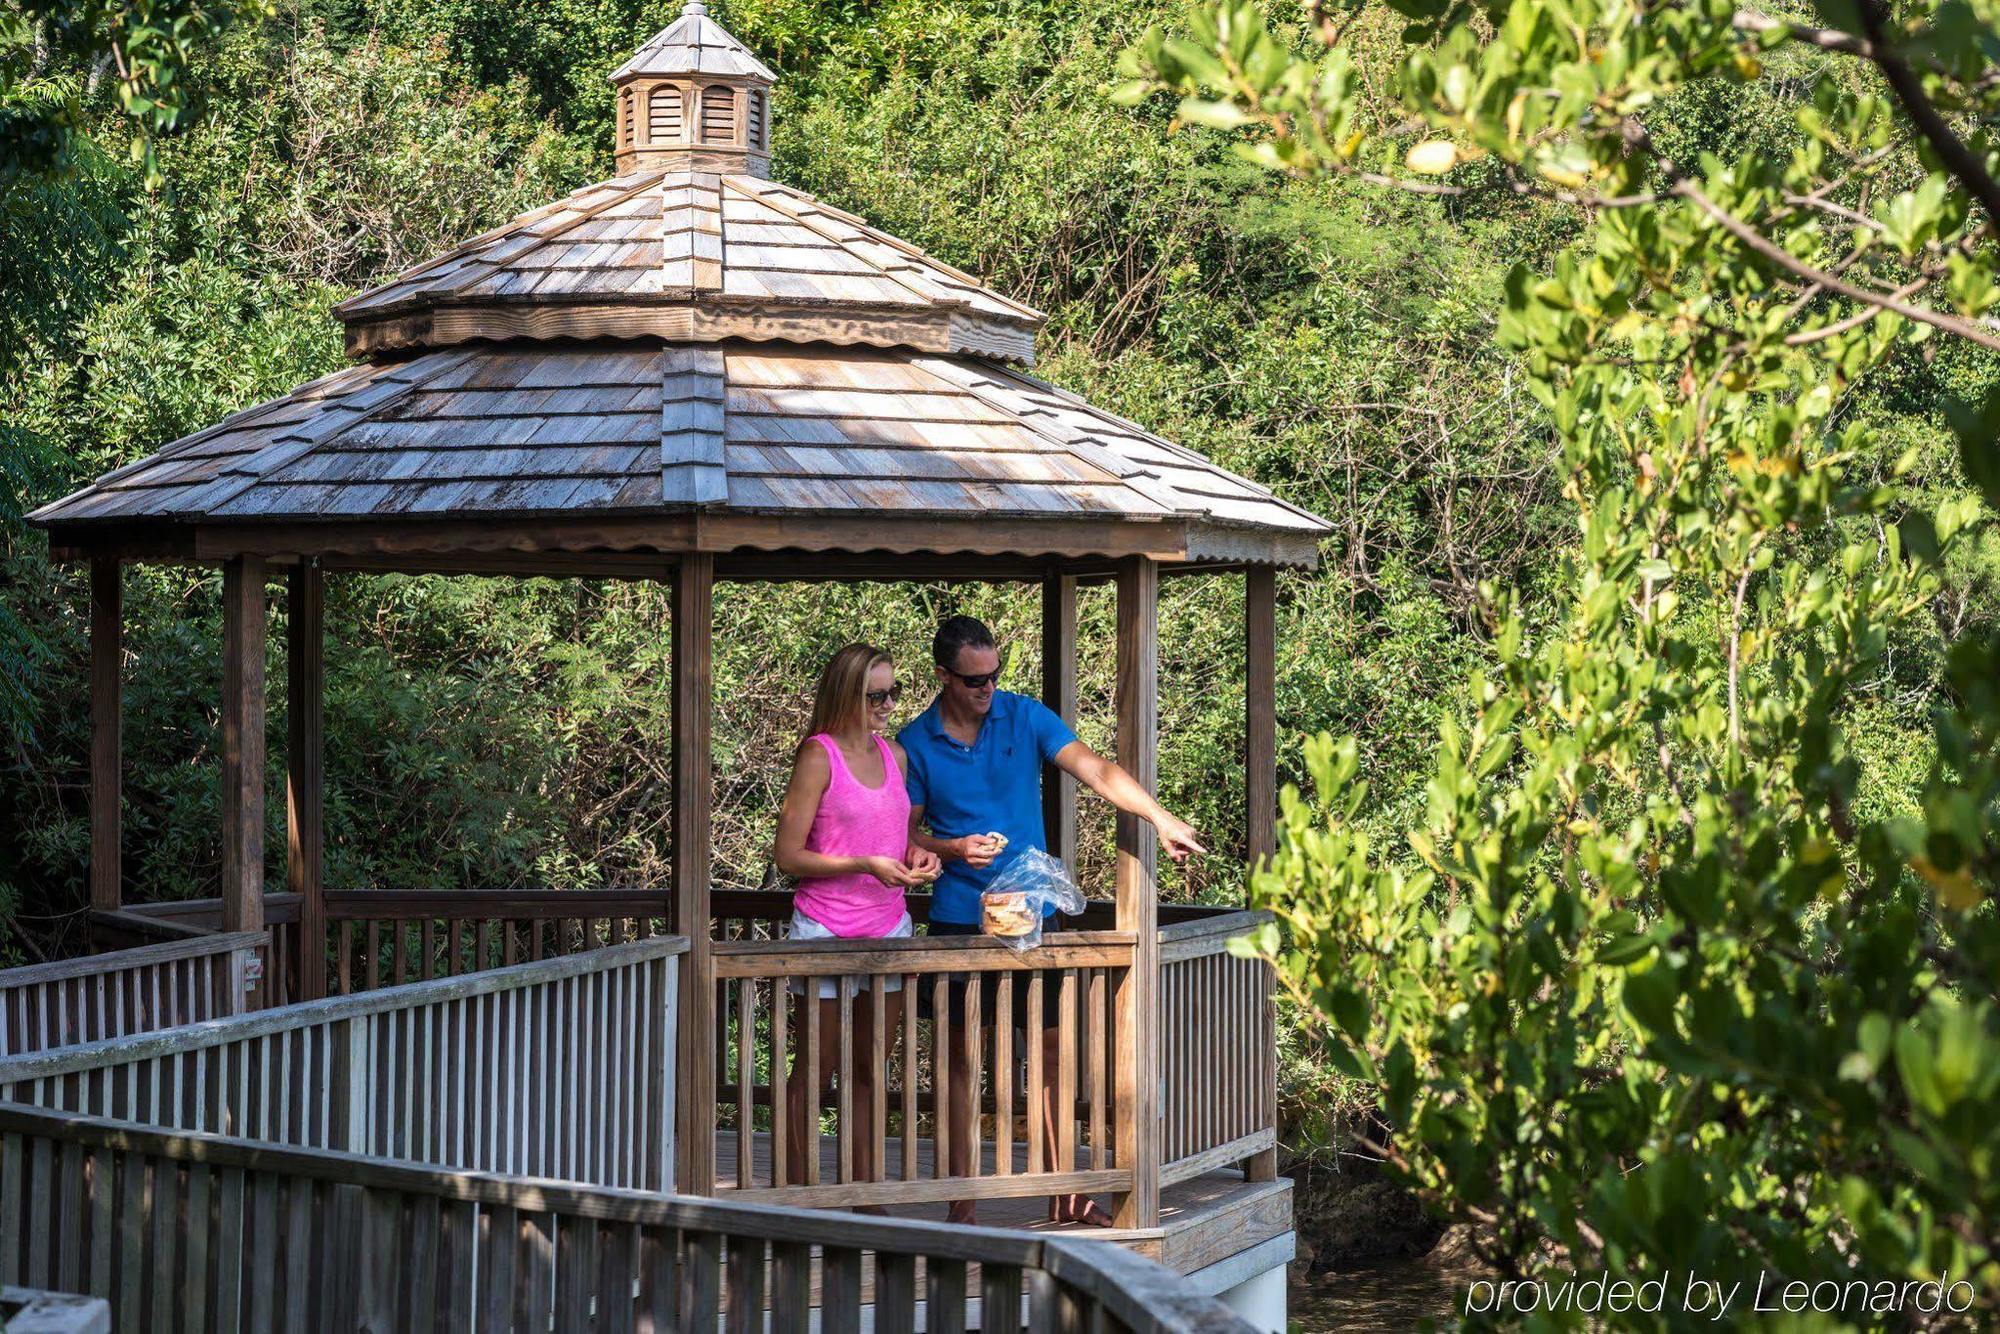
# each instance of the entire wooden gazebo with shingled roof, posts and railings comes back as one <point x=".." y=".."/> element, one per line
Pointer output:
<point x="691" y="373"/>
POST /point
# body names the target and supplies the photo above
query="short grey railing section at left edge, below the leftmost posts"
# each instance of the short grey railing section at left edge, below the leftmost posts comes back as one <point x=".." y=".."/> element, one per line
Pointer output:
<point x="125" y="991"/>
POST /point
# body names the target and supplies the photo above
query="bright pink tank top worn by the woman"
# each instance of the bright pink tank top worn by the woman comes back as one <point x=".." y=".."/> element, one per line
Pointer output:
<point x="857" y="821"/>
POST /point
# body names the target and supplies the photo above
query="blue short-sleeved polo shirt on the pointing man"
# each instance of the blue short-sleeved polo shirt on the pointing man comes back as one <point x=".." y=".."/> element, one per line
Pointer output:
<point x="991" y="787"/>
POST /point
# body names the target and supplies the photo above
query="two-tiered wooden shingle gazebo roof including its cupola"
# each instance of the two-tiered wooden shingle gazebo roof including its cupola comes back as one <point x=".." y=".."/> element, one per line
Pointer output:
<point x="679" y="347"/>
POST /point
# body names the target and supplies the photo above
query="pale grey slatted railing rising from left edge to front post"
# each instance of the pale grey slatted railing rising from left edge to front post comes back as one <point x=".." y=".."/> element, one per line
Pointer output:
<point x="559" y="1069"/>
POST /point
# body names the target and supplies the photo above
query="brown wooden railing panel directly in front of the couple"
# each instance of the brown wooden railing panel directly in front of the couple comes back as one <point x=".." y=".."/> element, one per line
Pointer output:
<point x="769" y="1047"/>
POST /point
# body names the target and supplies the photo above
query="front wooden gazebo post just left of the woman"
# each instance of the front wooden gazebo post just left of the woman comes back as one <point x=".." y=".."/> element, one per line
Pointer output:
<point x="695" y="1123"/>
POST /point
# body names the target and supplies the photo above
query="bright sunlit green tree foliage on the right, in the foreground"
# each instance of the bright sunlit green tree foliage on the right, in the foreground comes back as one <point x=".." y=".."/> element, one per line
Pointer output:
<point x="1681" y="969"/>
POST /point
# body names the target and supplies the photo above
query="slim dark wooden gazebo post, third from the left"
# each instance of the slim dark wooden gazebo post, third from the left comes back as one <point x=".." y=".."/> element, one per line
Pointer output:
<point x="305" y="771"/>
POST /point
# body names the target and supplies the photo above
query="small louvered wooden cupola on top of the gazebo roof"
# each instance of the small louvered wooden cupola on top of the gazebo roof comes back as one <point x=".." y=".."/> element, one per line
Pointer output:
<point x="695" y="99"/>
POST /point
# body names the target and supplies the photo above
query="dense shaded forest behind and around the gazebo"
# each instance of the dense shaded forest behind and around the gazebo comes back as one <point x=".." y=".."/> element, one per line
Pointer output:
<point x="1329" y="339"/>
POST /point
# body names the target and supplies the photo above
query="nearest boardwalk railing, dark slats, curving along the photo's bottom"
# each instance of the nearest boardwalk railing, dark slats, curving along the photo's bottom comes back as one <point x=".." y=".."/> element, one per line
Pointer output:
<point x="369" y="1243"/>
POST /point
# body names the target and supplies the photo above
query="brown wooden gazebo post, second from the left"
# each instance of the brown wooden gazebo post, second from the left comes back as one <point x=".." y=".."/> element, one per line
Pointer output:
<point x="243" y="745"/>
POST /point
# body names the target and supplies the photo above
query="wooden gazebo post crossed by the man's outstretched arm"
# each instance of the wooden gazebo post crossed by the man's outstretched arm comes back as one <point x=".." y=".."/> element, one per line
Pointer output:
<point x="1139" y="909"/>
